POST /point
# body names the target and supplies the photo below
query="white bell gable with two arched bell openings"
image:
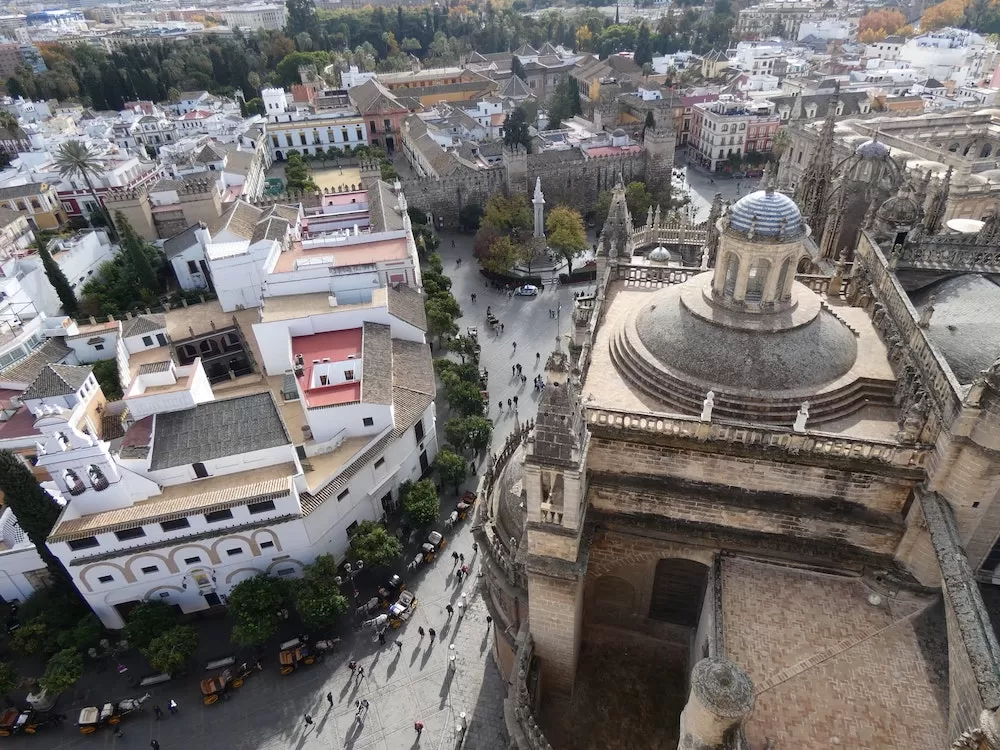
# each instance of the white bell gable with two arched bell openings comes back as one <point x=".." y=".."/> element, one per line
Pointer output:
<point x="81" y="465"/>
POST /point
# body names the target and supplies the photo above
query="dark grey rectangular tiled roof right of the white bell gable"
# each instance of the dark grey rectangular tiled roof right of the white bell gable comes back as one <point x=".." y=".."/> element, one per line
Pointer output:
<point x="216" y="429"/>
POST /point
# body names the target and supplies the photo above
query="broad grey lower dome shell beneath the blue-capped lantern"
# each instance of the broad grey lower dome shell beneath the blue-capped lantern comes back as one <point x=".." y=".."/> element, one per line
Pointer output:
<point x="698" y="345"/>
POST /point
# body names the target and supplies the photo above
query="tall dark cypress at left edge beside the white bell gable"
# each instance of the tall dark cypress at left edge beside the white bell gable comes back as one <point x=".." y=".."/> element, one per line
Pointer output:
<point x="35" y="510"/>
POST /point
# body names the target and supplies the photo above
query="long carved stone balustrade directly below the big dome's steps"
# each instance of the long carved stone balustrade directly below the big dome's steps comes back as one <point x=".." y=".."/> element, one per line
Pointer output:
<point x="810" y="442"/>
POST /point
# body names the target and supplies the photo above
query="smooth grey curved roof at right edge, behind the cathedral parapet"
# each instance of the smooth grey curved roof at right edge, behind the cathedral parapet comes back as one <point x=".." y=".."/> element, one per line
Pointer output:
<point x="961" y="327"/>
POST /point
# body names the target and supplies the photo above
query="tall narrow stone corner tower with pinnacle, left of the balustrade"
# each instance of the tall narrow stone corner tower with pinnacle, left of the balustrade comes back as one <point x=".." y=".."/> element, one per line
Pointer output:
<point x="555" y="488"/>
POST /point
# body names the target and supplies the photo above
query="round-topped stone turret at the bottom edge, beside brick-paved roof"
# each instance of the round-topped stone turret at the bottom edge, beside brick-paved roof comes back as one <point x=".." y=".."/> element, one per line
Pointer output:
<point x="721" y="698"/>
